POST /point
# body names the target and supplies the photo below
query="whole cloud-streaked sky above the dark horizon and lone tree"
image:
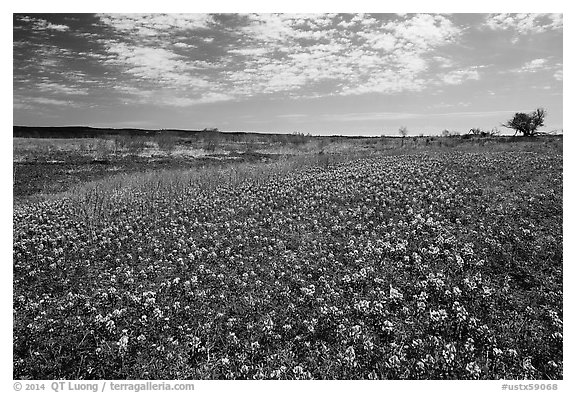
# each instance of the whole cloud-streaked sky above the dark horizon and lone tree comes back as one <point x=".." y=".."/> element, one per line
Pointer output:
<point x="348" y="74"/>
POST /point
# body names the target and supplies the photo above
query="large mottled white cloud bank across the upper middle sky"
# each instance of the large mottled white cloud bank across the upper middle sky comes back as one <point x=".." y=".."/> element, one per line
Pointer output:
<point x="279" y="53"/>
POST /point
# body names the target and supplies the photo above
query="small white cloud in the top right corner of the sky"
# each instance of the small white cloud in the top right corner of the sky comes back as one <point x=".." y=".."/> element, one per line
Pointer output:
<point x="525" y="23"/>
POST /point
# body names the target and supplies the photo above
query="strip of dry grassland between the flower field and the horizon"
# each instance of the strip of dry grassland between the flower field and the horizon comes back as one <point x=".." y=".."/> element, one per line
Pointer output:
<point x="45" y="166"/>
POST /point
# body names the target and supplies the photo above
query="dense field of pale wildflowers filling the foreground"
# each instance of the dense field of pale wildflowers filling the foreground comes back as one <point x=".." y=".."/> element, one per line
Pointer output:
<point x="416" y="266"/>
